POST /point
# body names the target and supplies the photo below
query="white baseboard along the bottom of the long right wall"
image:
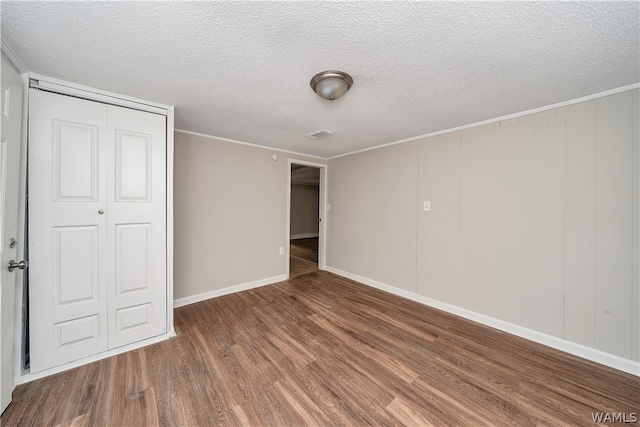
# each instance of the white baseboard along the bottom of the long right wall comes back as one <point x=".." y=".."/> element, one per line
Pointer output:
<point x="579" y="350"/>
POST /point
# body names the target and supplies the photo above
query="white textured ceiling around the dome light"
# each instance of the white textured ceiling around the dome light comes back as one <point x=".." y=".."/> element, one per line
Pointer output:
<point x="241" y="70"/>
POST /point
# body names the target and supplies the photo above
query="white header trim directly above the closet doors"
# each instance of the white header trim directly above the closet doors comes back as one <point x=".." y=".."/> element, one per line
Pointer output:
<point x="85" y="92"/>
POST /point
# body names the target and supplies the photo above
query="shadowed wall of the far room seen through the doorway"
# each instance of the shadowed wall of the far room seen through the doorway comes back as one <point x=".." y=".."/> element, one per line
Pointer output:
<point x="304" y="209"/>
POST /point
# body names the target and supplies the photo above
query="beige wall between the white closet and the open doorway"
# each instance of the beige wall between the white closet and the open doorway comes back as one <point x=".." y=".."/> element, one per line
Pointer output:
<point x="230" y="214"/>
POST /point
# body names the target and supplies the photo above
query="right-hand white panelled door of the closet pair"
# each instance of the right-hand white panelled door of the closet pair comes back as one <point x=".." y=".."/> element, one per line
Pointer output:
<point x="136" y="225"/>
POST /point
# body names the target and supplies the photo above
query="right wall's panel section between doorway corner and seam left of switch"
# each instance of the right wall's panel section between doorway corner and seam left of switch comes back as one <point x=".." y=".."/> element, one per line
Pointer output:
<point x="372" y="223"/>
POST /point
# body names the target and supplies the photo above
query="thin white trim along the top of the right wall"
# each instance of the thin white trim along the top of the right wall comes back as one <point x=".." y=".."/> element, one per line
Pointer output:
<point x="498" y="119"/>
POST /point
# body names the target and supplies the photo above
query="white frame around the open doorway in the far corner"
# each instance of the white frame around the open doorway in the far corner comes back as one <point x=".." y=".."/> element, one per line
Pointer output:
<point x="322" y="208"/>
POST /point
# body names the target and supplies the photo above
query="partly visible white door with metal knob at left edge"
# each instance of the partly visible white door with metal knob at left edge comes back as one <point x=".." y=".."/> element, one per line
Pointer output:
<point x="11" y="113"/>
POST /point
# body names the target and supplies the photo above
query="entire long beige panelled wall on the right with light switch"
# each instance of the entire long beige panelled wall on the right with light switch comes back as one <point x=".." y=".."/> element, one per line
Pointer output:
<point x="534" y="220"/>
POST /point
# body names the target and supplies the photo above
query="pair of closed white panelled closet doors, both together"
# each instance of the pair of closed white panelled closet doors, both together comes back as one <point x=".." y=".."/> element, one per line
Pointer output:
<point x="97" y="227"/>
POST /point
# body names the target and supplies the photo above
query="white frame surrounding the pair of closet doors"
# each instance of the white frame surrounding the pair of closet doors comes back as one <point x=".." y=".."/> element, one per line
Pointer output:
<point x="50" y="84"/>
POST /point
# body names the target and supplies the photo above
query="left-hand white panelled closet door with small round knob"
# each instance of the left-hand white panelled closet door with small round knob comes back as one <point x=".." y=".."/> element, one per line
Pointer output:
<point x="67" y="231"/>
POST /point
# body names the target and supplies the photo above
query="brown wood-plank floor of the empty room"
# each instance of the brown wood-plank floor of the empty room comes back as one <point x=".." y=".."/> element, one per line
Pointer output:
<point x="322" y="350"/>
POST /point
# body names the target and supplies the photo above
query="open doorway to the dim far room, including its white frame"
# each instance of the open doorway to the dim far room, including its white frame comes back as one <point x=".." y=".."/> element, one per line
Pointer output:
<point x="306" y="216"/>
